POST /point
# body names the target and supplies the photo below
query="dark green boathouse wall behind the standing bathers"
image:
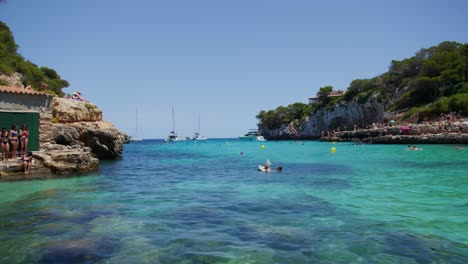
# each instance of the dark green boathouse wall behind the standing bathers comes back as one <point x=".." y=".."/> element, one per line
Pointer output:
<point x="31" y="119"/>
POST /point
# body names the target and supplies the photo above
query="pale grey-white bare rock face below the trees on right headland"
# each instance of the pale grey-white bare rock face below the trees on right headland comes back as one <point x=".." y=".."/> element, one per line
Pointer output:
<point x="341" y="117"/>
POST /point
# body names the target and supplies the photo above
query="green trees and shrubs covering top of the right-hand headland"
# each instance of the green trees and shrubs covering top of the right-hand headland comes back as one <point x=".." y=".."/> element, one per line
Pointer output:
<point x="433" y="81"/>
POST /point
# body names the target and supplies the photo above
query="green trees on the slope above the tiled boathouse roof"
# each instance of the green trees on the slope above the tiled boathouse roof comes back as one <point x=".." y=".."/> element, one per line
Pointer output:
<point x="11" y="62"/>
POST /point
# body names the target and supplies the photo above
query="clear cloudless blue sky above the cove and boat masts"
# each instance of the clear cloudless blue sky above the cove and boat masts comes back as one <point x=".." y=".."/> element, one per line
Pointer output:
<point x="224" y="60"/>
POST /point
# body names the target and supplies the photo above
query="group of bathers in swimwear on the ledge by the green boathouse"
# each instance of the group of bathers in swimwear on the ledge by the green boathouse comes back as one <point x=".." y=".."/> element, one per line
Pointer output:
<point x="12" y="140"/>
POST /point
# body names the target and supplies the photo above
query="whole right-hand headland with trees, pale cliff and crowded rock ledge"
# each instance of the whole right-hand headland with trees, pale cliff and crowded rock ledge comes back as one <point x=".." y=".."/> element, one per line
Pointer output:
<point x="421" y="91"/>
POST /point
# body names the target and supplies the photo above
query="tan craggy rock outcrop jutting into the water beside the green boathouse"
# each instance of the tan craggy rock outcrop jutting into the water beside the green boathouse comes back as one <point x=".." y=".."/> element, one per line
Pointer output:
<point x="73" y="137"/>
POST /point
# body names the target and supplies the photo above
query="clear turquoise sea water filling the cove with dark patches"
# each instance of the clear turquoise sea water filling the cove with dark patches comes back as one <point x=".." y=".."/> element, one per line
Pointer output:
<point x="207" y="203"/>
